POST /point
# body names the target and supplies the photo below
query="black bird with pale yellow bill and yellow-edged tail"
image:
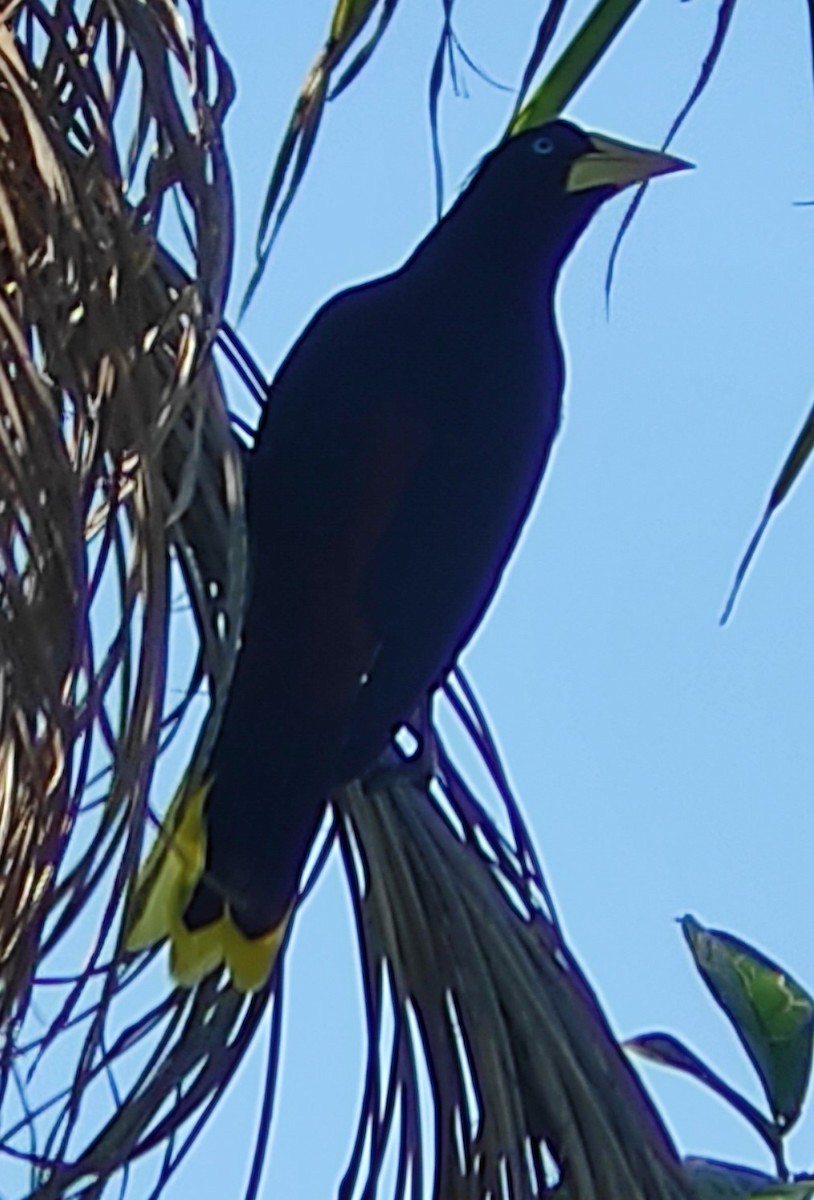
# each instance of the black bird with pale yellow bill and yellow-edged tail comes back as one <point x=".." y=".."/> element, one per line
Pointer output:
<point x="404" y="442"/>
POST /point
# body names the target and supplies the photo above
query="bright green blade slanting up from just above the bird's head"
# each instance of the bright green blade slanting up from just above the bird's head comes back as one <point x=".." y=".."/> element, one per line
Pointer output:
<point x="576" y="64"/>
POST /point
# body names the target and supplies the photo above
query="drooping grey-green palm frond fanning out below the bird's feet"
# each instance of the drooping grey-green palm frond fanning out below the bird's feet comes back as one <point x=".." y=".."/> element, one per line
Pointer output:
<point x="499" y="1045"/>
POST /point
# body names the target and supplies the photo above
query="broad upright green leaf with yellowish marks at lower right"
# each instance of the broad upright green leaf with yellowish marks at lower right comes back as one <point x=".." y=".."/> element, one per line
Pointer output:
<point x="773" y="1016"/>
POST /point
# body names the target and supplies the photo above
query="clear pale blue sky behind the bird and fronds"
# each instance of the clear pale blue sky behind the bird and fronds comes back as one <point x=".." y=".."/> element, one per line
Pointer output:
<point x="663" y="763"/>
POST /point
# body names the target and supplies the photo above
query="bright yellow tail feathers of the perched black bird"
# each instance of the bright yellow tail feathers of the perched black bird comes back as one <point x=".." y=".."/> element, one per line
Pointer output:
<point x="172" y="872"/>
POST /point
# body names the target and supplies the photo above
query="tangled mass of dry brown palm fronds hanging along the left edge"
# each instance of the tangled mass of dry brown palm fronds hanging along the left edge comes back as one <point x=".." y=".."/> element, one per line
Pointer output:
<point x="121" y="489"/>
